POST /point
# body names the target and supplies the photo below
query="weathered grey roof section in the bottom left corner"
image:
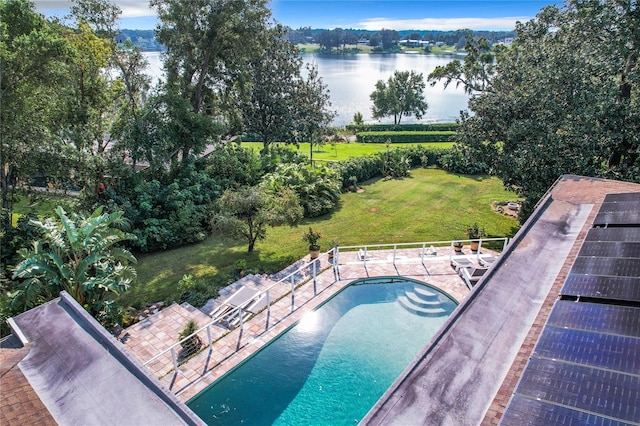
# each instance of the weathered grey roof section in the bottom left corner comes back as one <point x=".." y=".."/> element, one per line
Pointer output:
<point x="73" y="364"/>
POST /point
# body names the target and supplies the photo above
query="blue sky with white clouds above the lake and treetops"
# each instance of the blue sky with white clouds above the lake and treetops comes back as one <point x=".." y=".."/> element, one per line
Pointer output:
<point x="358" y="14"/>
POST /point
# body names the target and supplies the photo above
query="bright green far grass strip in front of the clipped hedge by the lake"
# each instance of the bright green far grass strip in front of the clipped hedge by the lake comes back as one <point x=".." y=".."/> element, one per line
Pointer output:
<point x="344" y="151"/>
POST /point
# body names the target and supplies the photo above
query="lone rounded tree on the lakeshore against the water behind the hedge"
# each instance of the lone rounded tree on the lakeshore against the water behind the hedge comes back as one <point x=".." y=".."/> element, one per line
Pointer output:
<point x="403" y="94"/>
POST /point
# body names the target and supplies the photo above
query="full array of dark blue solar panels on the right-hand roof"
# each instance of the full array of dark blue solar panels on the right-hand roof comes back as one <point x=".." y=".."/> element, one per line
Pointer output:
<point x="585" y="368"/>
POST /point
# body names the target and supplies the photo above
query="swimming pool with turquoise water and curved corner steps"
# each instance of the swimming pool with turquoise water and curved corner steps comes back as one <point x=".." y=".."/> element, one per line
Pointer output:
<point x="334" y="364"/>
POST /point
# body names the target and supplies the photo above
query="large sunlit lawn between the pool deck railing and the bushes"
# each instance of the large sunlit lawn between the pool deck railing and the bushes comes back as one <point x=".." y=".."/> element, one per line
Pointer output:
<point x="431" y="205"/>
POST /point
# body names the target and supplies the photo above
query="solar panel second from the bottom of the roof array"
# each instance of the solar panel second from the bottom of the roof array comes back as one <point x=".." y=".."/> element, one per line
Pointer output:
<point x="603" y="392"/>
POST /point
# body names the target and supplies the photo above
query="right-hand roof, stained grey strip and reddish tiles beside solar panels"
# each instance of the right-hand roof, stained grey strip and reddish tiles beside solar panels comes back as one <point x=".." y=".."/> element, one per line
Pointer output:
<point x="469" y="372"/>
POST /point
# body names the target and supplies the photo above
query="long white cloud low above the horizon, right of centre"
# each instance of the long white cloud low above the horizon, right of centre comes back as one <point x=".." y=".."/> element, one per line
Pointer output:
<point x="443" y="24"/>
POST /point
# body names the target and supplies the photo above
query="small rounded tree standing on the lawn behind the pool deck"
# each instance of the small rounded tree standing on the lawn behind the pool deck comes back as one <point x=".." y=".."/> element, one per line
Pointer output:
<point x="246" y="213"/>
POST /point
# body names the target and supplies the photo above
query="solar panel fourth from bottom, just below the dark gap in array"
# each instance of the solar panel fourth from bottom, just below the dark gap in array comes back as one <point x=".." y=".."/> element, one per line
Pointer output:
<point x="611" y="319"/>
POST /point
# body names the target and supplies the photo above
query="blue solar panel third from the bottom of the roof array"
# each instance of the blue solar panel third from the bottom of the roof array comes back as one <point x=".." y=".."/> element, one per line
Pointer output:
<point x="605" y="351"/>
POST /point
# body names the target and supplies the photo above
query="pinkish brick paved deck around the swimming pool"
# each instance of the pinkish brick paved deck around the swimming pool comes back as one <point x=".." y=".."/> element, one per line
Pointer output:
<point x="230" y="347"/>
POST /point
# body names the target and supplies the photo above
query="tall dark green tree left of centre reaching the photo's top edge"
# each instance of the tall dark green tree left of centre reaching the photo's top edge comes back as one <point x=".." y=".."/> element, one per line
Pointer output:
<point x="208" y="44"/>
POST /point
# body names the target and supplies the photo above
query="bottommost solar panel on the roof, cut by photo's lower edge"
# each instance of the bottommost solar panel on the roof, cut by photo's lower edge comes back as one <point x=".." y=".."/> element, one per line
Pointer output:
<point x="531" y="412"/>
